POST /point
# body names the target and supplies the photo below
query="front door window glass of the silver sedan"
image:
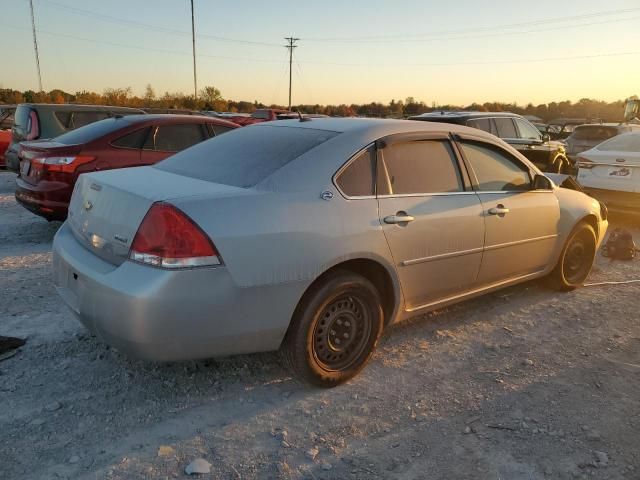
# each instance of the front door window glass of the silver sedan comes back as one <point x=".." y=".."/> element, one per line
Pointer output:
<point x="495" y="169"/>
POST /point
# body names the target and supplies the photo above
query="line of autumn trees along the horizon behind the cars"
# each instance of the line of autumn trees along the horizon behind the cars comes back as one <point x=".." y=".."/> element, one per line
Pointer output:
<point x="210" y="98"/>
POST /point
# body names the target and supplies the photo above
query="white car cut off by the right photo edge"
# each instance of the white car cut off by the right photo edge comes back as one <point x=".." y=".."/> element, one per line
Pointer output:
<point x="611" y="172"/>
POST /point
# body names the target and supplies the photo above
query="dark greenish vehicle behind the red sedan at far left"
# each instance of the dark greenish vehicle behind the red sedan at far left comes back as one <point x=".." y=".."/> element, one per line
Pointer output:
<point x="34" y="121"/>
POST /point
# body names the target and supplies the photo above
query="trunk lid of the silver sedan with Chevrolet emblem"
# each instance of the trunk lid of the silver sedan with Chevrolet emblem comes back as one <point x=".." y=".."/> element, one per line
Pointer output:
<point x="108" y="207"/>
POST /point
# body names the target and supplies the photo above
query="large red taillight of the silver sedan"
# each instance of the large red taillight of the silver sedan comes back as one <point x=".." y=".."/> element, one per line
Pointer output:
<point x="168" y="238"/>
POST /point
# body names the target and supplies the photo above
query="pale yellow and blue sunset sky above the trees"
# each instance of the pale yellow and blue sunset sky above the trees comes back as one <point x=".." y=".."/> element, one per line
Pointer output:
<point x="349" y="51"/>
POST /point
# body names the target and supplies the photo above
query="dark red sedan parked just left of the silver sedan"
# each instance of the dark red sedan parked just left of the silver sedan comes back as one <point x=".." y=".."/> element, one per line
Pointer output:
<point x="50" y="169"/>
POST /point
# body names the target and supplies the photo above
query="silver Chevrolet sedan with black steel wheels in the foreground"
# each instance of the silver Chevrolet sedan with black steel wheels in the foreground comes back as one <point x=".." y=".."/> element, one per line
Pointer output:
<point x="312" y="236"/>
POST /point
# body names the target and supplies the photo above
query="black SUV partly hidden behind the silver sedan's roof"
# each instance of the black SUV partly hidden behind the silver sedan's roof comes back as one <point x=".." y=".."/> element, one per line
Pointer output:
<point x="547" y="155"/>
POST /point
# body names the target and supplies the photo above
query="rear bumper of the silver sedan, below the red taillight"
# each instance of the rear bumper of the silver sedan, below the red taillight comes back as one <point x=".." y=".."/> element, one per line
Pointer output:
<point x="164" y="315"/>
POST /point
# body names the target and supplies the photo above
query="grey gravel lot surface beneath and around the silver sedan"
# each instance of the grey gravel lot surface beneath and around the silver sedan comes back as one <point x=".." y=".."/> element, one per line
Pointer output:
<point x="522" y="384"/>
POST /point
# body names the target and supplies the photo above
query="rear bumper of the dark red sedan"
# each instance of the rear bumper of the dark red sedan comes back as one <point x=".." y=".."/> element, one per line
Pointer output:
<point x="47" y="199"/>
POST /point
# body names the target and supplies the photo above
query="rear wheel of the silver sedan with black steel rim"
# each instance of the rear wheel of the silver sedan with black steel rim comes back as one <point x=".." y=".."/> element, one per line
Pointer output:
<point x="334" y="330"/>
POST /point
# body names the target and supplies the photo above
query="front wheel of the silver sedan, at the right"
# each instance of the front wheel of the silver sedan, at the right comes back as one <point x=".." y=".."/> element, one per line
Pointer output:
<point x="576" y="259"/>
